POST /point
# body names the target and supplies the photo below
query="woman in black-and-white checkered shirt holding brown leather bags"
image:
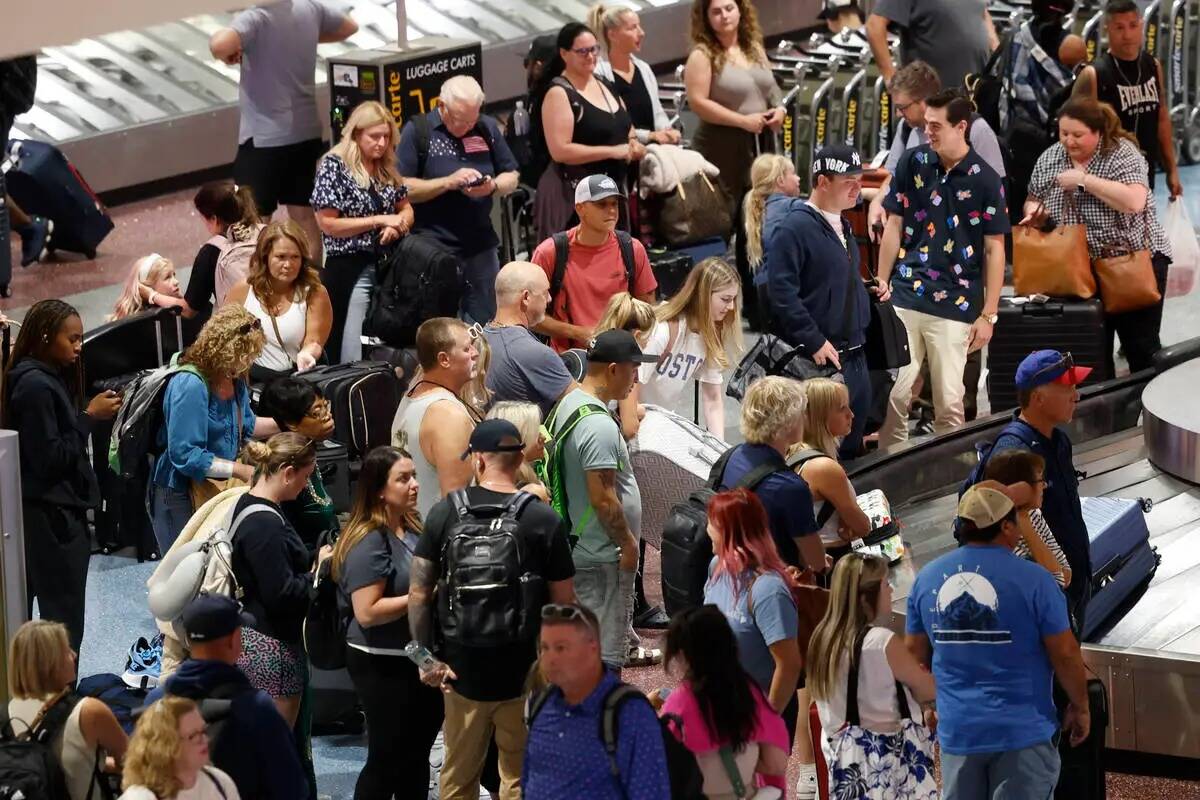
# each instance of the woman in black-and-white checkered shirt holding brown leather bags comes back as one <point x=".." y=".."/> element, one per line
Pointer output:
<point x="1097" y="176"/>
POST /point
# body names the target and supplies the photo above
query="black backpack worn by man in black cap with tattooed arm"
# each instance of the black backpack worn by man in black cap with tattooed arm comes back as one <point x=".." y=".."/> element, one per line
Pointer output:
<point x="487" y="598"/>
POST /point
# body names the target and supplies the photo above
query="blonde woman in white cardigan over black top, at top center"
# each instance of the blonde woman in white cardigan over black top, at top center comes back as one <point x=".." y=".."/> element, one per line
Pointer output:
<point x="620" y="34"/>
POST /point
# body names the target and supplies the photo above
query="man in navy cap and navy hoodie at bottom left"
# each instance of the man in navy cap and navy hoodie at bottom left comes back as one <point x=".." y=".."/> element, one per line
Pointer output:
<point x="254" y="744"/>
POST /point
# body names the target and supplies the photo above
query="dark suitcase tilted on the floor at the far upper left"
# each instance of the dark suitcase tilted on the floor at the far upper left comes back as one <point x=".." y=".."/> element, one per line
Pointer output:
<point x="45" y="184"/>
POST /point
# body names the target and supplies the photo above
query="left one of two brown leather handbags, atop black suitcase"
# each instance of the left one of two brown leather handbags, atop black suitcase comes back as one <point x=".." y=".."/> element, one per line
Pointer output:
<point x="1053" y="263"/>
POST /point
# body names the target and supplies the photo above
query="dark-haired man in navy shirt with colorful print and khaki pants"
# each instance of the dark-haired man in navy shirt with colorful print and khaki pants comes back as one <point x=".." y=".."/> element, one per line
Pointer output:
<point x="945" y="240"/>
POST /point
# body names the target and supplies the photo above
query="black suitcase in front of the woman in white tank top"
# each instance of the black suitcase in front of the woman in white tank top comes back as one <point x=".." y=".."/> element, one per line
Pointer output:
<point x="364" y="398"/>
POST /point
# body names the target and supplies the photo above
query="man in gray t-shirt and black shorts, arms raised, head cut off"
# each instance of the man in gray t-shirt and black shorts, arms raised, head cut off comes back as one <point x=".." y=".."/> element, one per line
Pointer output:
<point x="280" y="134"/>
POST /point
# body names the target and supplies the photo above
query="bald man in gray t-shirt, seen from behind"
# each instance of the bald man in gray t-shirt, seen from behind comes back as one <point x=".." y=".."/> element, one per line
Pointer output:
<point x="523" y="368"/>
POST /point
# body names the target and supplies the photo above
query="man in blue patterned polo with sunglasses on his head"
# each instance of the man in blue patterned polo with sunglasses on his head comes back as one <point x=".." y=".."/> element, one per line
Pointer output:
<point x="566" y="756"/>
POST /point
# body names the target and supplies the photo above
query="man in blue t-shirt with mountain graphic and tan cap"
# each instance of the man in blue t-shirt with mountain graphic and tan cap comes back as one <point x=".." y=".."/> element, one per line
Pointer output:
<point x="994" y="629"/>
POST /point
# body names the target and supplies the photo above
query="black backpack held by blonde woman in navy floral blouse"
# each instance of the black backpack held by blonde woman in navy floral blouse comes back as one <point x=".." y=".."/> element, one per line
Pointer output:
<point x="417" y="280"/>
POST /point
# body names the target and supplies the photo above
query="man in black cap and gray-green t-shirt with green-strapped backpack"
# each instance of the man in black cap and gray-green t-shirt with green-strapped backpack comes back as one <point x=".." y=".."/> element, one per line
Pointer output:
<point x="604" y="507"/>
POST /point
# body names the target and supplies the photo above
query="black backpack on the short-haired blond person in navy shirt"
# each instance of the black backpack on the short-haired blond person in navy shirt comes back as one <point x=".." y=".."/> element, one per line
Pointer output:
<point x="687" y="550"/>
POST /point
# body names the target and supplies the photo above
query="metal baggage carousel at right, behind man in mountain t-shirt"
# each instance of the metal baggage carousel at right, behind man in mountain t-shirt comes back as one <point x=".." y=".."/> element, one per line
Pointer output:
<point x="1136" y="437"/>
